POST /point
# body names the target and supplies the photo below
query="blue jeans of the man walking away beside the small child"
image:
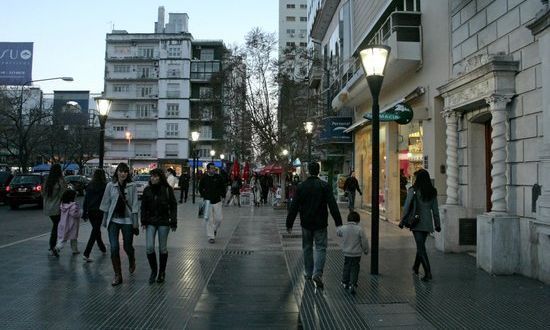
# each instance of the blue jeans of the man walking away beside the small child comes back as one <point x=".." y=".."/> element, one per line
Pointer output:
<point x="314" y="263"/>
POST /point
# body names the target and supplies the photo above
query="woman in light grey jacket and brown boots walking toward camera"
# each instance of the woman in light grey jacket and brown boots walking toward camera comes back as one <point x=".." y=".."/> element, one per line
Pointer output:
<point x="120" y="206"/>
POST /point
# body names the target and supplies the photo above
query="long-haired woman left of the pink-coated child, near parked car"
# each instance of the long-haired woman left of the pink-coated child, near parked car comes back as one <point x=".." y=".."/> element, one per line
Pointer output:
<point x="54" y="188"/>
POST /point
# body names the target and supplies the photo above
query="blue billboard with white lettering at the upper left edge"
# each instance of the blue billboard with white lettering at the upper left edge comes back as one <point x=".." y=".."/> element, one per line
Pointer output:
<point x="15" y="63"/>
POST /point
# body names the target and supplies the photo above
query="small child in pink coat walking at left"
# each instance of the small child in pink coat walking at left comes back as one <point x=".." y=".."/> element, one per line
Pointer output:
<point x="69" y="222"/>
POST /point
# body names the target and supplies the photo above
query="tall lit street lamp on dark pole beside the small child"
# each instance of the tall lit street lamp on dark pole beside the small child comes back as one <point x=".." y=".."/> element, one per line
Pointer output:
<point x="373" y="60"/>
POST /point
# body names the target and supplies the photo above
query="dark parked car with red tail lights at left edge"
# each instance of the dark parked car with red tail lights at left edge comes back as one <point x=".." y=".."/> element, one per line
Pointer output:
<point x="25" y="189"/>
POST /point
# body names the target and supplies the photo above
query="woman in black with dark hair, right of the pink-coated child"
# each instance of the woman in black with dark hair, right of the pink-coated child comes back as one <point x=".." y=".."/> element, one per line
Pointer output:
<point x="91" y="211"/>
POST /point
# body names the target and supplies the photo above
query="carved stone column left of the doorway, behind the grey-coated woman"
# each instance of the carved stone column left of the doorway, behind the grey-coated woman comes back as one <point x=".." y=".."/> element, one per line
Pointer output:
<point x="451" y="119"/>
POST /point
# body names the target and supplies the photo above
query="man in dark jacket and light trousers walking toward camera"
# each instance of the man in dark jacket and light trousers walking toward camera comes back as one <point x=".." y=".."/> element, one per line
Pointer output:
<point x="212" y="189"/>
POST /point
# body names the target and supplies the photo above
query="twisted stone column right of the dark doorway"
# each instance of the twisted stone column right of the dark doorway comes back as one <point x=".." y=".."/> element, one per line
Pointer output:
<point x="499" y="113"/>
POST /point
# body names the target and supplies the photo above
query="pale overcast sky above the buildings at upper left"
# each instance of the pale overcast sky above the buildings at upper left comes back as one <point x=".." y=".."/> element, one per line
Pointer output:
<point x="69" y="35"/>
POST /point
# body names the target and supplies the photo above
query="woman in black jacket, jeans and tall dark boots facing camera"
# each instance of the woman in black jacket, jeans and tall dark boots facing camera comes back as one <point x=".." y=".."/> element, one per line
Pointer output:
<point x="158" y="215"/>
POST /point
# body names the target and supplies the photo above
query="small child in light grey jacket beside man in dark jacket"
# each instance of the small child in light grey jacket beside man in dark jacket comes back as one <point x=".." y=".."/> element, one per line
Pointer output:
<point x="354" y="243"/>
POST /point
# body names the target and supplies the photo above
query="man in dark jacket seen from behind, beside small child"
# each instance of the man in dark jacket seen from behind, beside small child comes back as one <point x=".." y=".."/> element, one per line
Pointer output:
<point x="311" y="200"/>
